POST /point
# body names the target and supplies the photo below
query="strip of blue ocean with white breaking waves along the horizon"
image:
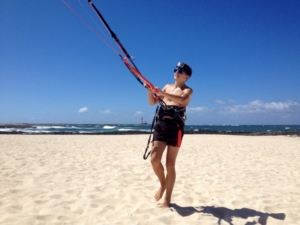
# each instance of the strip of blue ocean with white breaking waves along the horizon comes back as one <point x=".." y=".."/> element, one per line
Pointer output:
<point x="137" y="128"/>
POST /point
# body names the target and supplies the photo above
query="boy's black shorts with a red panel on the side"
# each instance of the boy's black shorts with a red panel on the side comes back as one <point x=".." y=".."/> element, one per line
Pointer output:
<point x="169" y="131"/>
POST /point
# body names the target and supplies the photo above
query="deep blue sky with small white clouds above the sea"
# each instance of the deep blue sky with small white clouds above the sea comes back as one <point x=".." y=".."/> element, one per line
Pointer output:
<point x="245" y="57"/>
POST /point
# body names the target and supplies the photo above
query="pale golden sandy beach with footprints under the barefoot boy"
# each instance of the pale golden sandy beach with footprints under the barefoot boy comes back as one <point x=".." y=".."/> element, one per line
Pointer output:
<point x="103" y="179"/>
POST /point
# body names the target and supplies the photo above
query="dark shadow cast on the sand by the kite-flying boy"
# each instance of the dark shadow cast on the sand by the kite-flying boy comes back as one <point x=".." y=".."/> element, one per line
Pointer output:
<point x="225" y="214"/>
